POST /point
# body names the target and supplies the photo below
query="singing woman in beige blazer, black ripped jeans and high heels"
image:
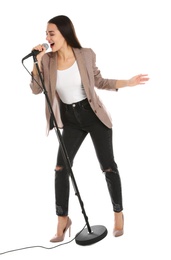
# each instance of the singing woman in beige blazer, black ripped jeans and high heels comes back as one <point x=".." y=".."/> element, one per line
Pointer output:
<point x="70" y="77"/>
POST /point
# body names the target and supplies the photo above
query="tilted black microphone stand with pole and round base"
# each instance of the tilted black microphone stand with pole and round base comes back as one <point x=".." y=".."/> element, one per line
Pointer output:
<point x="92" y="234"/>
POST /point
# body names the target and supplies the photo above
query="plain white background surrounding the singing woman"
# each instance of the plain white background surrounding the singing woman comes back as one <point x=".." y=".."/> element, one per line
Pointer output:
<point x="129" y="37"/>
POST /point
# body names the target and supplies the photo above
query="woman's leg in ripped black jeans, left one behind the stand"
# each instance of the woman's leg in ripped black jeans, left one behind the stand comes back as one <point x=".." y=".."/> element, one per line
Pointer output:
<point x="72" y="139"/>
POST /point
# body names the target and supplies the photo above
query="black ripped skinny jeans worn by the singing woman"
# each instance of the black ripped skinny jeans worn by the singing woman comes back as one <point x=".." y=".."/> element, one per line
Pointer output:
<point x="79" y="120"/>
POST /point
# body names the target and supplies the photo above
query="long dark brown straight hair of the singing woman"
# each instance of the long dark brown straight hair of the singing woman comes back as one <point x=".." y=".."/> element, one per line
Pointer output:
<point x="66" y="28"/>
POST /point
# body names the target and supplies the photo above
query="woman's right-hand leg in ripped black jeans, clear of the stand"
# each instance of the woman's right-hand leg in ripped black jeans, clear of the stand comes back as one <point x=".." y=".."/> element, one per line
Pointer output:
<point x="102" y="140"/>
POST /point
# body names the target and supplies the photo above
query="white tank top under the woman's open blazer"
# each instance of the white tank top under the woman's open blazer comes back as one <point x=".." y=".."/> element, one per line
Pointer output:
<point x="69" y="85"/>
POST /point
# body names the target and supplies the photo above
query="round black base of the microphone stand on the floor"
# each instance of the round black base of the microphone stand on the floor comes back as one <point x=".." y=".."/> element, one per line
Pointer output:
<point x="86" y="238"/>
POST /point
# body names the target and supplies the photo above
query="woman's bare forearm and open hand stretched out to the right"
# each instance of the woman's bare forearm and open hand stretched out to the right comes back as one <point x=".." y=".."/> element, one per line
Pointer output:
<point x="136" y="80"/>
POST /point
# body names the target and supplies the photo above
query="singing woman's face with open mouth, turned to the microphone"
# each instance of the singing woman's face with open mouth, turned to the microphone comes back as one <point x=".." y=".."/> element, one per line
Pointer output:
<point x="54" y="37"/>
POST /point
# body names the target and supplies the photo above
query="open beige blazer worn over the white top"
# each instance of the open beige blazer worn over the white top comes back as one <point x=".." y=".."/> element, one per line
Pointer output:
<point x="90" y="76"/>
